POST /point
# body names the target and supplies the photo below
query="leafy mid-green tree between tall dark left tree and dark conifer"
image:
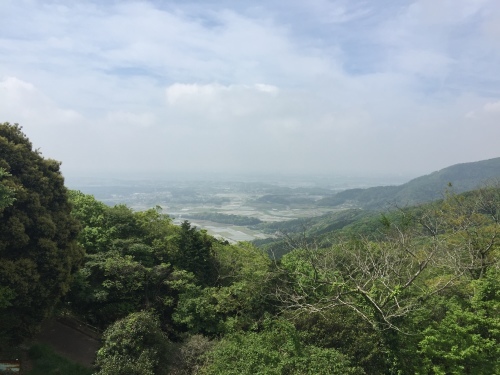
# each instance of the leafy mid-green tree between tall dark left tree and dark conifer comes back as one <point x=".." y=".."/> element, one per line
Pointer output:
<point x="126" y="265"/>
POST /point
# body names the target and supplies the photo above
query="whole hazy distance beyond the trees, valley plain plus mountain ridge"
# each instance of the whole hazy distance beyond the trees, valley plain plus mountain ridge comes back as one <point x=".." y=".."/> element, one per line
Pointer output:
<point x="237" y="208"/>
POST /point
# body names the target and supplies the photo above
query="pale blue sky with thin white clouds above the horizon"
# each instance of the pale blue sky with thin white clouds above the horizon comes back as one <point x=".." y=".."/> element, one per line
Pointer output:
<point x="153" y="88"/>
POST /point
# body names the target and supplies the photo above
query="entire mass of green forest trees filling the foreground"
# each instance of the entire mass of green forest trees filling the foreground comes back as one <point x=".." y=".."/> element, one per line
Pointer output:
<point x="414" y="292"/>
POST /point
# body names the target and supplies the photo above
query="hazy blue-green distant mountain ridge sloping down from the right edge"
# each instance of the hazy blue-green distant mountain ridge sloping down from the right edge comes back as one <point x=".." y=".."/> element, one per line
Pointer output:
<point x="463" y="177"/>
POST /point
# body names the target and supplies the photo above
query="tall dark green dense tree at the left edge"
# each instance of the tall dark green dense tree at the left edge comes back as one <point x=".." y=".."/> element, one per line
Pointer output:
<point x="38" y="249"/>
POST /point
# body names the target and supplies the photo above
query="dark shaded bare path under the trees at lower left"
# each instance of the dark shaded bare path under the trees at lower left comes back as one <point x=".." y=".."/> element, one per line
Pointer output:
<point x="71" y="340"/>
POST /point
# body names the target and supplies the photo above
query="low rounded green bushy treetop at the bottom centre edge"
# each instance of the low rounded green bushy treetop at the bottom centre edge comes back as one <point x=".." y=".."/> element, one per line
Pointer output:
<point x="277" y="349"/>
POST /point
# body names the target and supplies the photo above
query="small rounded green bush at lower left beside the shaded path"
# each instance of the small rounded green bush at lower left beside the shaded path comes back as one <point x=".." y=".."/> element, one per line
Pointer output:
<point x="134" y="345"/>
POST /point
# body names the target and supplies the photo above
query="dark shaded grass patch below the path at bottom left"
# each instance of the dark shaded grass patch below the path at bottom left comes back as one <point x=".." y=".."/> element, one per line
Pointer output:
<point x="47" y="362"/>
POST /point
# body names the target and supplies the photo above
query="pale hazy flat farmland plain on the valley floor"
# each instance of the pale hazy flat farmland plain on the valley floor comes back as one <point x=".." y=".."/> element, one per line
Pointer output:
<point x="266" y="200"/>
